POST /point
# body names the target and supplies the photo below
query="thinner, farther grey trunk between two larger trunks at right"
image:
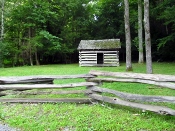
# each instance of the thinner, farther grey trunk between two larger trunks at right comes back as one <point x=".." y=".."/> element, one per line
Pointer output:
<point x="140" y="34"/>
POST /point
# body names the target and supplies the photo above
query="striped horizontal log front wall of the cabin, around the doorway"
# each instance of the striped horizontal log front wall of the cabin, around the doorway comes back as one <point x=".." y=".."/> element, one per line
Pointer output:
<point x="89" y="58"/>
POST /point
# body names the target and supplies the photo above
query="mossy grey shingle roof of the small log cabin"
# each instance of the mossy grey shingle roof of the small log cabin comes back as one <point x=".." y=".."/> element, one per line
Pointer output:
<point x="99" y="44"/>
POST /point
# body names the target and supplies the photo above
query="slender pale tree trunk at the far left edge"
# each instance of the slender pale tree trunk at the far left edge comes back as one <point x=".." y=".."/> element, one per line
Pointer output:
<point x="2" y="32"/>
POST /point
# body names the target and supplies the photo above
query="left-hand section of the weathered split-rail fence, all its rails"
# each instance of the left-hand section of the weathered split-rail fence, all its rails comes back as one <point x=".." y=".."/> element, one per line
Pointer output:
<point x="43" y="85"/>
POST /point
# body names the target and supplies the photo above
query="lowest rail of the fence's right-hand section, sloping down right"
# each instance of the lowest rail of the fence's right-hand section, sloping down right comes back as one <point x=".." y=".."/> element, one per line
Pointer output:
<point x="113" y="100"/>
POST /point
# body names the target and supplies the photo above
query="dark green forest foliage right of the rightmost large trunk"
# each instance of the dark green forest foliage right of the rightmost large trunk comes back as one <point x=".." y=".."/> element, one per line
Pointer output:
<point x="164" y="26"/>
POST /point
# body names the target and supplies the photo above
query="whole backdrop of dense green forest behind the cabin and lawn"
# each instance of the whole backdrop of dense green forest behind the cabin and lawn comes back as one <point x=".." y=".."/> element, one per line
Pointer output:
<point x="43" y="32"/>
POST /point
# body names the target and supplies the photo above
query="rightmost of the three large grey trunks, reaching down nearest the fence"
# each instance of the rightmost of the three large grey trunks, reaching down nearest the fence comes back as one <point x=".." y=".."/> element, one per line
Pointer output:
<point x="147" y="38"/>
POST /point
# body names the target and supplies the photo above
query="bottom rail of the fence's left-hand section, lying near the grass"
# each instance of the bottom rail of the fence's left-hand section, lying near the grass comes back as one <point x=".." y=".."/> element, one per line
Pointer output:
<point x="47" y="100"/>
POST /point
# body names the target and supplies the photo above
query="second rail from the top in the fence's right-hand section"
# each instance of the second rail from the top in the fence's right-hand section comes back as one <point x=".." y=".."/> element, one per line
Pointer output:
<point x="169" y="85"/>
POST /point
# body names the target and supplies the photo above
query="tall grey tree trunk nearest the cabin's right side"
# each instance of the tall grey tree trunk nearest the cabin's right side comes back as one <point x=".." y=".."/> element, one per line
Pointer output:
<point x="128" y="37"/>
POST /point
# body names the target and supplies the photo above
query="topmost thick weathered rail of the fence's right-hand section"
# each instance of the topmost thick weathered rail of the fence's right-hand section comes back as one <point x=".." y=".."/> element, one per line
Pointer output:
<point x="155" y="77"/>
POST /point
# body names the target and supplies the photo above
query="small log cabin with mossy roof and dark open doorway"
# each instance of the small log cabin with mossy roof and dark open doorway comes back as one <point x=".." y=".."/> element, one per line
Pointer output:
<point x="99" y="52"/>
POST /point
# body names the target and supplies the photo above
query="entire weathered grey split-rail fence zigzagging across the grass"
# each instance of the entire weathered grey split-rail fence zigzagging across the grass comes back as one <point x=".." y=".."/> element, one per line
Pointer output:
<point x="91" y="88"/>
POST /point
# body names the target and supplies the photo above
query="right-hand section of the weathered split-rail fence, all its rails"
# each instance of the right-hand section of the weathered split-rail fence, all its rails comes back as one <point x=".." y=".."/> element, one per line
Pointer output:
<point x="166" y="81"/>
